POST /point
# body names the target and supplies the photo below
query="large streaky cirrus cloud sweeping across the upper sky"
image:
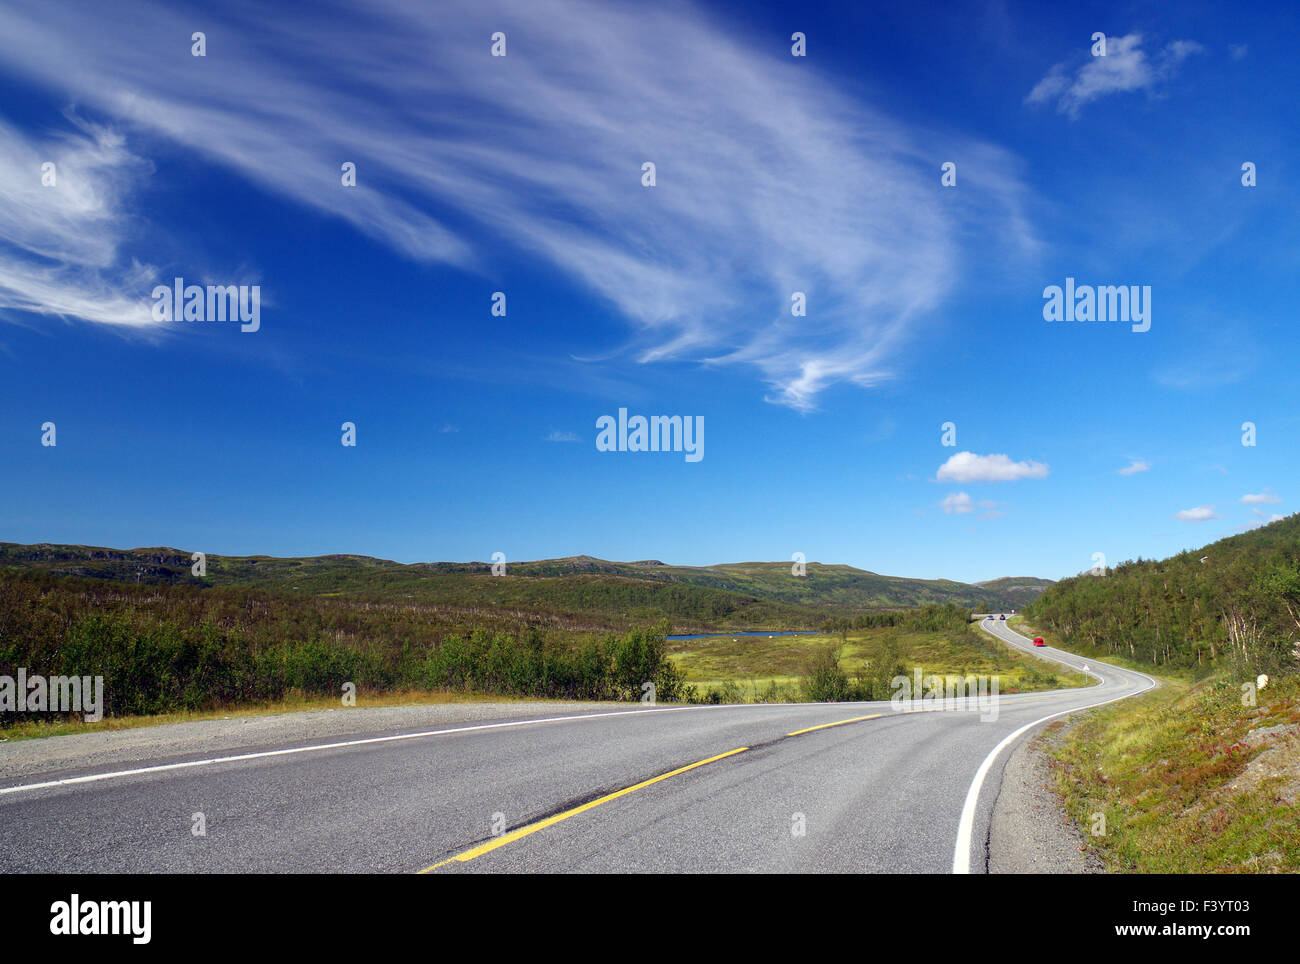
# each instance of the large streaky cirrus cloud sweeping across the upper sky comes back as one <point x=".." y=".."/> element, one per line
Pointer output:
<point x="770" y="180"/>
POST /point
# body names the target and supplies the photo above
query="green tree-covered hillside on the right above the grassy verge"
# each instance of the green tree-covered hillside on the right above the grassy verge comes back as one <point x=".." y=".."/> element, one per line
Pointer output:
<point x="1233" y="606"/>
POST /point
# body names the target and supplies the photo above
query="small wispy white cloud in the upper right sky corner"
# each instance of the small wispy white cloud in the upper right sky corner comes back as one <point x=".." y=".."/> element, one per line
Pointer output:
<point x="1125" y="68"/>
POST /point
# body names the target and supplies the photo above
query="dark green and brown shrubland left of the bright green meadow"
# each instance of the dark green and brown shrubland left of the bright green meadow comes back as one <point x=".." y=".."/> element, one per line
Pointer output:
<point x="167" y="649"/>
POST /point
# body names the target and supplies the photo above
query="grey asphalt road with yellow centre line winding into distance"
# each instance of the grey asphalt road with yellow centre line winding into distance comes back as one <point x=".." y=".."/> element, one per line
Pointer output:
<point x="625" y="789"/>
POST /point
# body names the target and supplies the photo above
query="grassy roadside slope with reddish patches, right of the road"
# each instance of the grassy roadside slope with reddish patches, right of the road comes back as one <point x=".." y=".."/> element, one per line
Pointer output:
<point x="1188" y="779"/>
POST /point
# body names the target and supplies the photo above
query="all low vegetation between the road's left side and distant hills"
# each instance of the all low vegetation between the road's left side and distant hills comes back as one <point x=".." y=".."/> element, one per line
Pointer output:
<point x="174" y="649"/>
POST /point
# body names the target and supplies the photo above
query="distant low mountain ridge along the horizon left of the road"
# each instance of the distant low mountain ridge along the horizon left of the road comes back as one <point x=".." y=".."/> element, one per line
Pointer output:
<point x="569" y="581"/>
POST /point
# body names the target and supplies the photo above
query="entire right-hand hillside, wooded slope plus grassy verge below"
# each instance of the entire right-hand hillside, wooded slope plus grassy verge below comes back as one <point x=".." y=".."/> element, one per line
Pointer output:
<point x="1202" y="775"/>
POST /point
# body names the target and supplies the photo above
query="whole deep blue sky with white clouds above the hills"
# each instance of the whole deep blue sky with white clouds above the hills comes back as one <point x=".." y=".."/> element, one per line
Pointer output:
<point x="774" y="175"/>
